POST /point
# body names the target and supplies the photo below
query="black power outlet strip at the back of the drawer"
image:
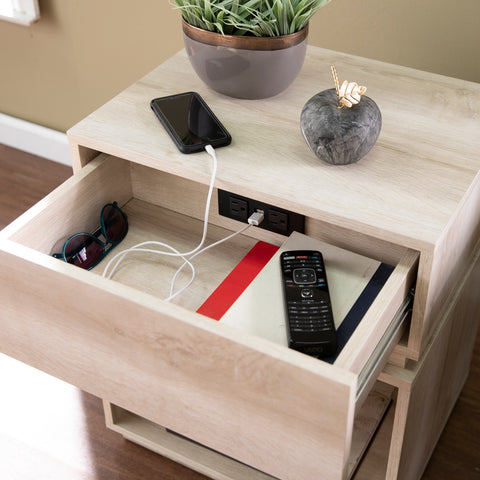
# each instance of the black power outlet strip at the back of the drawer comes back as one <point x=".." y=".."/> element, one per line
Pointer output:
<point x="275" y="219"/>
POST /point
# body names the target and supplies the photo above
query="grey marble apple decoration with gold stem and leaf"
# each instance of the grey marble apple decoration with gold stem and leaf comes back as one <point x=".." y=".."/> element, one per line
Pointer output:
<point x="341" y="125"/>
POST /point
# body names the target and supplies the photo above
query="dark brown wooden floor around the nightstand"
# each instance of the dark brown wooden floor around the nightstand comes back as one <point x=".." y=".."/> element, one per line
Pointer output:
<point x="51" y="430"/>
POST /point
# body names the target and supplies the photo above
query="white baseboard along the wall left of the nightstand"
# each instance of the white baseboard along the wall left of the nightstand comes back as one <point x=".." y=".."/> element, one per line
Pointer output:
<point x="33" y="138"/>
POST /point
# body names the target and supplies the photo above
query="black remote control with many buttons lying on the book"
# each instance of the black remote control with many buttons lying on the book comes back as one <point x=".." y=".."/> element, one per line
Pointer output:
<point x="310" y="327"/>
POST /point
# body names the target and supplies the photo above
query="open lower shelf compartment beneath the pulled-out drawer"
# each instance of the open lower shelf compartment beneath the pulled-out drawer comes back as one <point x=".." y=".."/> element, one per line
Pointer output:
<point x="220" y="467"/>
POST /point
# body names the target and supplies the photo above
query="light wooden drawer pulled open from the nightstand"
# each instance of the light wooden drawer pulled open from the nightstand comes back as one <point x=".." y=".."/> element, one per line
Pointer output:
<point x="260" y="403"/>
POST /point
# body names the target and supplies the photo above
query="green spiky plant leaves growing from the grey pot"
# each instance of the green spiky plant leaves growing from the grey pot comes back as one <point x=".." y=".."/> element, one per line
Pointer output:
<point x="261" y="18"/>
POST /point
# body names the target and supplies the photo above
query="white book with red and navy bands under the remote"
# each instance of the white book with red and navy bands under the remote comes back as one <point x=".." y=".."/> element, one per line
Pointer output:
<point x="251" y="297"/>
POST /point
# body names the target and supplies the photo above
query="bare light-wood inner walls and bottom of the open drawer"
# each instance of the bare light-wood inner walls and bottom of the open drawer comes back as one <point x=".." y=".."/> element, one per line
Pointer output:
<point x="76" y="205"/>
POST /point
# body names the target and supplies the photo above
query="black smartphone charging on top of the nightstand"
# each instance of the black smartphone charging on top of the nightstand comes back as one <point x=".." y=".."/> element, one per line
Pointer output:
<point x="190" y="122"/>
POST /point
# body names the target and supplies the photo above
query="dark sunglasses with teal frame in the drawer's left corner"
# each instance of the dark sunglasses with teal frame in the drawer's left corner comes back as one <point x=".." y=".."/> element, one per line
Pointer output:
<point x="85" y="250"/>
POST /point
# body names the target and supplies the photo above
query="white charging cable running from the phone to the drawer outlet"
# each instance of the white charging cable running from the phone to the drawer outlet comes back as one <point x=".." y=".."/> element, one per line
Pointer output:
<point x="255" y="219"/>
